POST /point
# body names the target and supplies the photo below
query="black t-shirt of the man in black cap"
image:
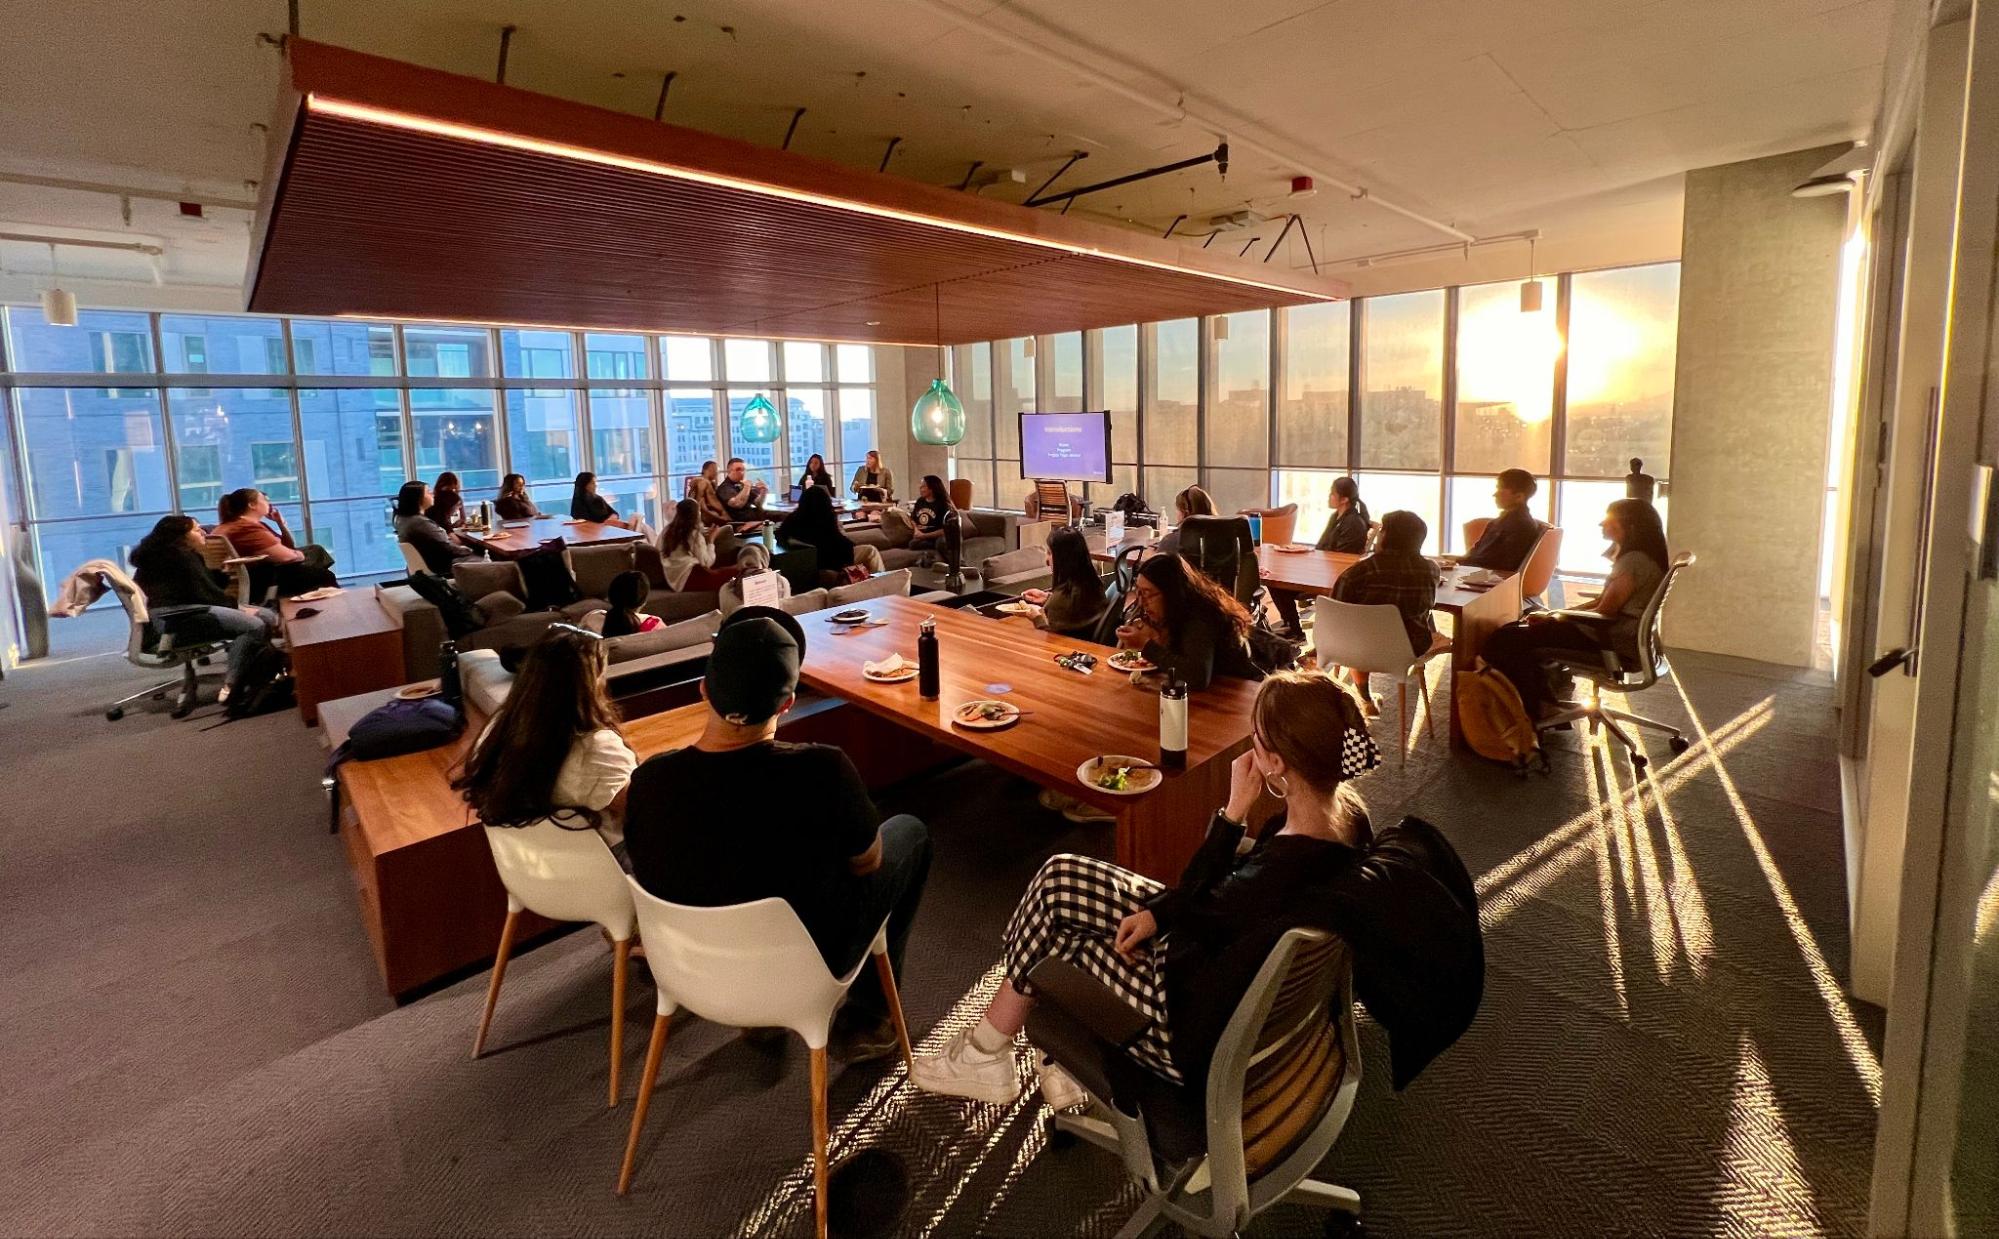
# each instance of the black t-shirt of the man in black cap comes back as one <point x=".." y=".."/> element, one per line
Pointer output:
<point x="799" y="816"/>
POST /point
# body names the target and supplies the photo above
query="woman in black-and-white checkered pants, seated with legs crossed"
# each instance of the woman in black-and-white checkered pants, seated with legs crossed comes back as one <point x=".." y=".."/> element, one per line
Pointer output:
<point x="1184" y="956"/>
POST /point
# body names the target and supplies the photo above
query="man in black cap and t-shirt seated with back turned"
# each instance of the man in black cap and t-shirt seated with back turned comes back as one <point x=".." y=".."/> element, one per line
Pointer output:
<point x="839" y="866"/>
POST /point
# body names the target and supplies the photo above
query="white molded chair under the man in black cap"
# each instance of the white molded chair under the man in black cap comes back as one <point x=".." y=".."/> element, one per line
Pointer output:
<point x="749" y="966"/>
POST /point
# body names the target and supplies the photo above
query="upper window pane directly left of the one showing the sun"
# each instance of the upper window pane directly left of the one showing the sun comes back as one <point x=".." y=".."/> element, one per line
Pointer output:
<point x="1402" y="381"/>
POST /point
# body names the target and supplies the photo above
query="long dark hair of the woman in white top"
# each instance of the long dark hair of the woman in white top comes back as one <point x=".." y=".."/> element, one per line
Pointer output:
<point x="559" y="696"/>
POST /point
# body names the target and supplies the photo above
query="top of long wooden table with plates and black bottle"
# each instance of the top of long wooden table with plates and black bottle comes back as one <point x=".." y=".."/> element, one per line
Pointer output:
<point x="1068" y="718"/>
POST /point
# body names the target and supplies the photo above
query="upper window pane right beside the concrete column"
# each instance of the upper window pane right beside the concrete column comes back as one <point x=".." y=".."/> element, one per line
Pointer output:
<point x="1624" y="335"/>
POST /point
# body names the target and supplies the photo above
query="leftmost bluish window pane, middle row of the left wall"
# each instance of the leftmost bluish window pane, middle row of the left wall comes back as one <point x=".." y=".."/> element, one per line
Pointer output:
<point x="93" y="451"/>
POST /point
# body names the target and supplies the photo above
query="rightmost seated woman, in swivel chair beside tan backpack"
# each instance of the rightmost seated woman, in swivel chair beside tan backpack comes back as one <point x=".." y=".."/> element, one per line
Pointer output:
<point x="1610" y="620"/>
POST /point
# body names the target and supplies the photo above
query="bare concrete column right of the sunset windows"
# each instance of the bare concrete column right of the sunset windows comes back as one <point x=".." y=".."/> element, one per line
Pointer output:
<point x="1758" y="309"/>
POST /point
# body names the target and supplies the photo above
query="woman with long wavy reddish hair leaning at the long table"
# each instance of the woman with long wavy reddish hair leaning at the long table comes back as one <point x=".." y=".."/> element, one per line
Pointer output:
<point x="1186" y="624"/>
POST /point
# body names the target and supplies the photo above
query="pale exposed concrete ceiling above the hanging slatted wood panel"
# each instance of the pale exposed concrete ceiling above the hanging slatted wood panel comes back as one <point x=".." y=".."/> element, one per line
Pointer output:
<point x="1494" y="117"/>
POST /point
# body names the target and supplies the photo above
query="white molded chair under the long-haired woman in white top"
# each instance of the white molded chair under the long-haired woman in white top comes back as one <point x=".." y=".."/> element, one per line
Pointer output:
<point x="565" y="876"/>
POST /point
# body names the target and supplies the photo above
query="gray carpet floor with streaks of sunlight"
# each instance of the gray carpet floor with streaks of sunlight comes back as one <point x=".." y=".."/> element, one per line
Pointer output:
<point x="197" y="1044"/>
